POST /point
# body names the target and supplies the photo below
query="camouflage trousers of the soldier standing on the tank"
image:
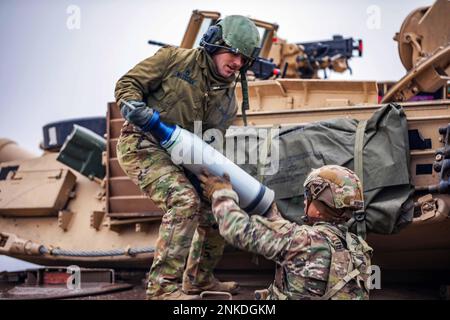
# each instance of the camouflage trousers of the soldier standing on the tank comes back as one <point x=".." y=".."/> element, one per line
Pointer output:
<point x="189" y="244"/>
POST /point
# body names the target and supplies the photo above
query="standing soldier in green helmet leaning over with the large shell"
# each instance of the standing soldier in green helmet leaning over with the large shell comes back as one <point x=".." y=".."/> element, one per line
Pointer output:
<point x="183" y="85"/>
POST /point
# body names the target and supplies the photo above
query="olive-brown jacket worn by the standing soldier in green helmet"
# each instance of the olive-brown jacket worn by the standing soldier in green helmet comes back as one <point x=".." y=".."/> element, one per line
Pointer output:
<point x="184" y="86"/>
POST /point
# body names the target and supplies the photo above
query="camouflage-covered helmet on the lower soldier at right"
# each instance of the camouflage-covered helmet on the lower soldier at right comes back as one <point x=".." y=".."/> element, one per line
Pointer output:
<point x="338" y="188"/>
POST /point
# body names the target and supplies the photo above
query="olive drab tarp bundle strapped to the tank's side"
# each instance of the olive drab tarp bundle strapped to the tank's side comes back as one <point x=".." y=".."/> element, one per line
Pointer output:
<point x="384" y="160"/>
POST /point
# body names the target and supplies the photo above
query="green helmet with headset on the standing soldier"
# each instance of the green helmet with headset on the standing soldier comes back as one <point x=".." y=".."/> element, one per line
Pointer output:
<point x="237" y="34"/>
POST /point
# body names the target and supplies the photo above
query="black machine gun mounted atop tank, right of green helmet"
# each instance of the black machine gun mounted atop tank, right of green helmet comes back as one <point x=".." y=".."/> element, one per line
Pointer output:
<point x="332" y="54"/>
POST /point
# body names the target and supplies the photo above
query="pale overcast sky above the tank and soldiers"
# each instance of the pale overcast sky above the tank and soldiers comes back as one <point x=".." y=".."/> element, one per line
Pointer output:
<point x="60" y="59"/>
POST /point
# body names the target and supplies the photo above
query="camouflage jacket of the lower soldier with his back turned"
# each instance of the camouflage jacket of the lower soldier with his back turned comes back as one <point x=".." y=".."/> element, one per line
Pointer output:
<point x="311" y="260"/>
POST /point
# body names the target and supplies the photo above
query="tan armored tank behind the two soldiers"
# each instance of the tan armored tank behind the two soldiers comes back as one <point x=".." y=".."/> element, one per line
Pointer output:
<point x="74" y="204"/>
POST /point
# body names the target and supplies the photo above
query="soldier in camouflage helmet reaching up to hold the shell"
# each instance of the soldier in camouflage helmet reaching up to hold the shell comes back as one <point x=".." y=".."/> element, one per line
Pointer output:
<point x="319" y="260"/>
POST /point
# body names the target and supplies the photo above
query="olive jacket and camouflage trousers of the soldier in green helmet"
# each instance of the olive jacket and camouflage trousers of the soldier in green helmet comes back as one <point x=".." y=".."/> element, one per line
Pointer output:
<point x="183" y="86"/>
